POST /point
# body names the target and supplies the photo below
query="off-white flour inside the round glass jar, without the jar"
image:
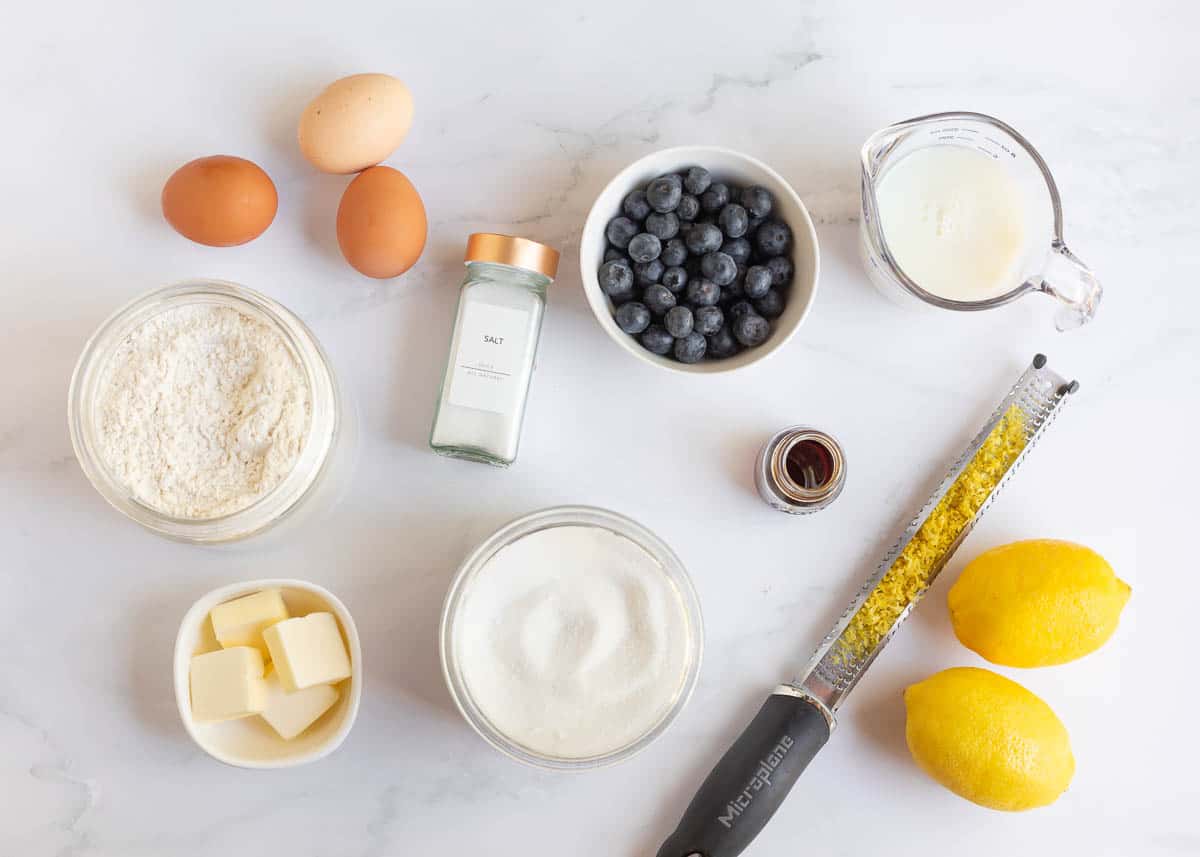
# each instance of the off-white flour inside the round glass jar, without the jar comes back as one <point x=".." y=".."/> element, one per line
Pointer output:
<point x="202" y="411"/>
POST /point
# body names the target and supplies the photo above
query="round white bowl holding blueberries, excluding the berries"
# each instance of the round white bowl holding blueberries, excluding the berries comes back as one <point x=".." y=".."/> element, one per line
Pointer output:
<point x="725" y="165"/>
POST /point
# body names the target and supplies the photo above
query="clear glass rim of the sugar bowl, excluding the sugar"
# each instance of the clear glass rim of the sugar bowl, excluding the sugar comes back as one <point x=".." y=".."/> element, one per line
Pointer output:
<point x="561" y="517"/>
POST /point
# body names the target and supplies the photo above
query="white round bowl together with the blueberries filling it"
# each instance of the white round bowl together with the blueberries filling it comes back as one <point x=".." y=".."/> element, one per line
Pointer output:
<point x="699" y="260"/>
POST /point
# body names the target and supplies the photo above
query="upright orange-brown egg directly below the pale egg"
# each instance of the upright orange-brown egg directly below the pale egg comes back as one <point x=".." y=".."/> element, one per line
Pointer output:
<point x="381" y="224"/>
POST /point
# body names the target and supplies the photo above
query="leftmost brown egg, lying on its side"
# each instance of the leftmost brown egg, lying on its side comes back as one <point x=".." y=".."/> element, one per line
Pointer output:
<point x="220" y="201"/>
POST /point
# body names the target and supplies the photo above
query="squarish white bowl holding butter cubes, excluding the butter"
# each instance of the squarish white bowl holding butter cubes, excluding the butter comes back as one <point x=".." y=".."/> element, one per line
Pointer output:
<point x="250" y="742"/>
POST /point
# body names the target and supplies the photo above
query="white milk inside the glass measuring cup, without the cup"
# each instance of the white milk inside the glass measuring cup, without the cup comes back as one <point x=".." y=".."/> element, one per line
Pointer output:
<point x="956" y="223"/>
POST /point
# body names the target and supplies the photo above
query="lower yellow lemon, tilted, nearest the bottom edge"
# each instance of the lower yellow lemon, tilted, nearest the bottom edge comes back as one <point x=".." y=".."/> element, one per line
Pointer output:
<point x="988" y="740"/>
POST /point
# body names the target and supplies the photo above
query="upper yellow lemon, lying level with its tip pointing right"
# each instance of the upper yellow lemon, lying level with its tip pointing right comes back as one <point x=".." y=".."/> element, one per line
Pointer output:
<point x="1037" y="603"/>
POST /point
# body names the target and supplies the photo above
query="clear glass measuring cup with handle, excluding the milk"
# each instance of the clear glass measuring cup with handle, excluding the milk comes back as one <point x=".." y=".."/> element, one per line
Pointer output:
<point x="1046" y="266"/>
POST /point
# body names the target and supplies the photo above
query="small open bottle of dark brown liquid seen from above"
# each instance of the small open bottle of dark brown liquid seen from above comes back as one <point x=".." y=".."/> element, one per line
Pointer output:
<point x="801" y="470"/>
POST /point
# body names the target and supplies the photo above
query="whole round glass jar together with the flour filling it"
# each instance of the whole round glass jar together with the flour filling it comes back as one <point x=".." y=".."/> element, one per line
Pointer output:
<point x="208" y="413"/>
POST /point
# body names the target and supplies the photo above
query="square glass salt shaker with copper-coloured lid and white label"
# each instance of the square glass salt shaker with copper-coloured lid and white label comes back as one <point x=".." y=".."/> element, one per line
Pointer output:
<point x="493" y="350"/>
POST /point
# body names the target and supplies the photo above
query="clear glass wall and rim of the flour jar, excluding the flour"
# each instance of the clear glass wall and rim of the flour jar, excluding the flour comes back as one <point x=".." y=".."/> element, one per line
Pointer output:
<point x="311" y="471"/>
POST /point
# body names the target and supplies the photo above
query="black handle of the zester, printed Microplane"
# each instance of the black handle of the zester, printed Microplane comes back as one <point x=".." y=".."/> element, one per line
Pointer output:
<point x="752" y="781"/>
